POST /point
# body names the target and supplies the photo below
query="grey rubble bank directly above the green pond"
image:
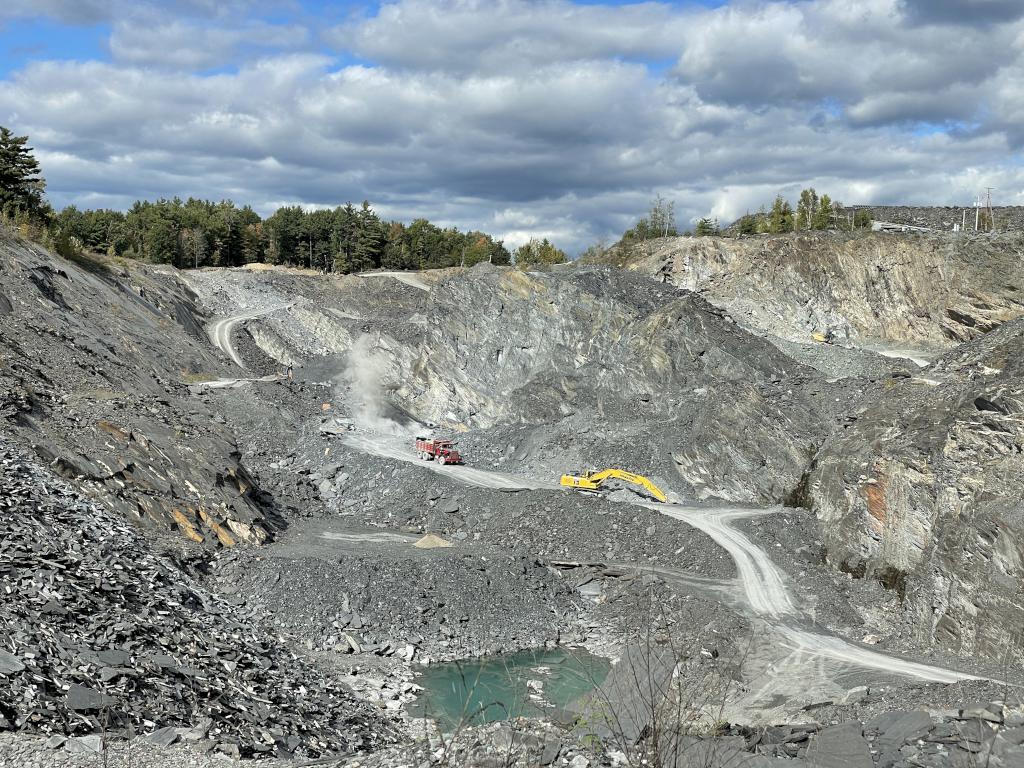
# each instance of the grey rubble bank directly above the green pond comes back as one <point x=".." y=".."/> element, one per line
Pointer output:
<point x="451" y="606"/>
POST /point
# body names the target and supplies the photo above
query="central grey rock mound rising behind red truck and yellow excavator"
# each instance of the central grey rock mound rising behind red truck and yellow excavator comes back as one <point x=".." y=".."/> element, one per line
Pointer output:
<point x="609" y="369"/>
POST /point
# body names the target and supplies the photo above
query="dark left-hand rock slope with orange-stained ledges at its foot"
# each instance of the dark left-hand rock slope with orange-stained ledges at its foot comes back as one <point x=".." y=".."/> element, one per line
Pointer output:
<point x="95" y="374"/>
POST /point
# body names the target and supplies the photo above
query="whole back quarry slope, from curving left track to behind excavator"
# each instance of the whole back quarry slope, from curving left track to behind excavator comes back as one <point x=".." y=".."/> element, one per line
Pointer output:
<point x="569" y="369"/>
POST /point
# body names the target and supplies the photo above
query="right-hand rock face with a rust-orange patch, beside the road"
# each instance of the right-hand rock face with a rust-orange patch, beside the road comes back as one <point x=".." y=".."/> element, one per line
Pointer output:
<point x="924" y="491"/>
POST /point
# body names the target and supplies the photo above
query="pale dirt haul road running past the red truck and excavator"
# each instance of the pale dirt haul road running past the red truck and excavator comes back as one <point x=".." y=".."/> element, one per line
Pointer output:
<point x="762" y="585"/>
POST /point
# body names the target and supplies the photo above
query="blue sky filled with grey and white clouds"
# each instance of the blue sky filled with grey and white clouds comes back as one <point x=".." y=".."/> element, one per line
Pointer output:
<point x="523" y="118"/>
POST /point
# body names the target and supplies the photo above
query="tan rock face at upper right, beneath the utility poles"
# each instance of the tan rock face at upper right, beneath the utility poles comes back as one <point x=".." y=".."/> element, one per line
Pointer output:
<point x="923" y="290"/>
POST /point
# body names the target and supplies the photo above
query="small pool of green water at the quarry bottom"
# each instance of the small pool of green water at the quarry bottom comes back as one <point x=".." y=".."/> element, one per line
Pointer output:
<point x="484" y="691"/>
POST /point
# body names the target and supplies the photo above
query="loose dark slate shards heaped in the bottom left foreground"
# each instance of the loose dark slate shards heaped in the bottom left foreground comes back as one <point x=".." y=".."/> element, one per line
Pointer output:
<point x="98" y="633"/>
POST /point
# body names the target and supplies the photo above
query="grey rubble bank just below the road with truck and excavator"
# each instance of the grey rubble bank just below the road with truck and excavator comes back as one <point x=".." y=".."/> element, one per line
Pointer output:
<point x="396" y="495"/>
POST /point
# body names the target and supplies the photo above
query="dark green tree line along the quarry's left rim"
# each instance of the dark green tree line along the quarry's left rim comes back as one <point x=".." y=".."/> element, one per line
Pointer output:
<point x="201" y="233"/>
